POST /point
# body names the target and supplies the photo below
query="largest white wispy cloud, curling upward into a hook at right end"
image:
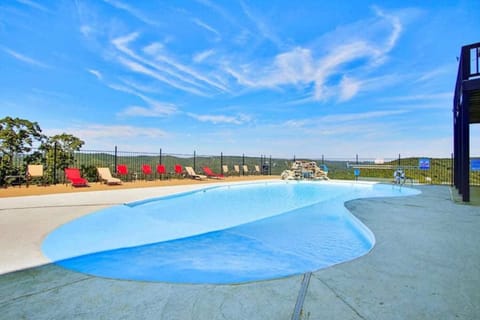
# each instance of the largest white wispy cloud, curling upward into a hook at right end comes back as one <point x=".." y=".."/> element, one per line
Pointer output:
<point x="302" y="66"/>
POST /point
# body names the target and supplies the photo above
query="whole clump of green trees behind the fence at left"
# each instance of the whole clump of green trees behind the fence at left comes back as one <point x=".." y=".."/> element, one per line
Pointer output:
<point x="21" y="136"/>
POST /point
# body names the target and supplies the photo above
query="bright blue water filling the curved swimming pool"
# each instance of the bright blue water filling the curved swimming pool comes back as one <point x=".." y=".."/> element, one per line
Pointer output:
<point x="228" y="234"/>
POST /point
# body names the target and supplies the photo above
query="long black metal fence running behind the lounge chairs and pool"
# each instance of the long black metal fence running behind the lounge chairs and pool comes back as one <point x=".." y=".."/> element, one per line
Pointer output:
<point x="438" y="170"/>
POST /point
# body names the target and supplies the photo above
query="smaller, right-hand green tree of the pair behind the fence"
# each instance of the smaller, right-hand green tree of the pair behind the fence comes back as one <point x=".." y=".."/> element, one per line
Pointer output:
<point x="60" y="152"/>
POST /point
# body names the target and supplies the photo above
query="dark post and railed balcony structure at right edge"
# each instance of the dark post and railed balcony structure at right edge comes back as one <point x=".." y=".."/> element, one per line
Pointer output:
<point x="466" y="110"/>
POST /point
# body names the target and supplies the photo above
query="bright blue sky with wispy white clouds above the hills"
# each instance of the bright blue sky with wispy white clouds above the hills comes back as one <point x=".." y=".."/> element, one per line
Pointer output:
<point x="279" y="78"/>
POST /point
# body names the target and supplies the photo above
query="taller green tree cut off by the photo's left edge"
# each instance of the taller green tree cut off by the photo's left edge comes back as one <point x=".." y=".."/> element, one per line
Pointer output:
<point x="16" y="137"/>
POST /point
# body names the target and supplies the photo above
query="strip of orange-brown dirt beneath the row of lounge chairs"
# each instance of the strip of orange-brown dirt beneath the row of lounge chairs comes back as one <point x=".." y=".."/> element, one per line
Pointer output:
<point x="19" y="191"/>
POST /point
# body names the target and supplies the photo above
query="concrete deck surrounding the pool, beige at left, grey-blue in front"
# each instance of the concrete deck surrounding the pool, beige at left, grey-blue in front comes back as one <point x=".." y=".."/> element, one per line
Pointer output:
<point x="425" y="265"/>
